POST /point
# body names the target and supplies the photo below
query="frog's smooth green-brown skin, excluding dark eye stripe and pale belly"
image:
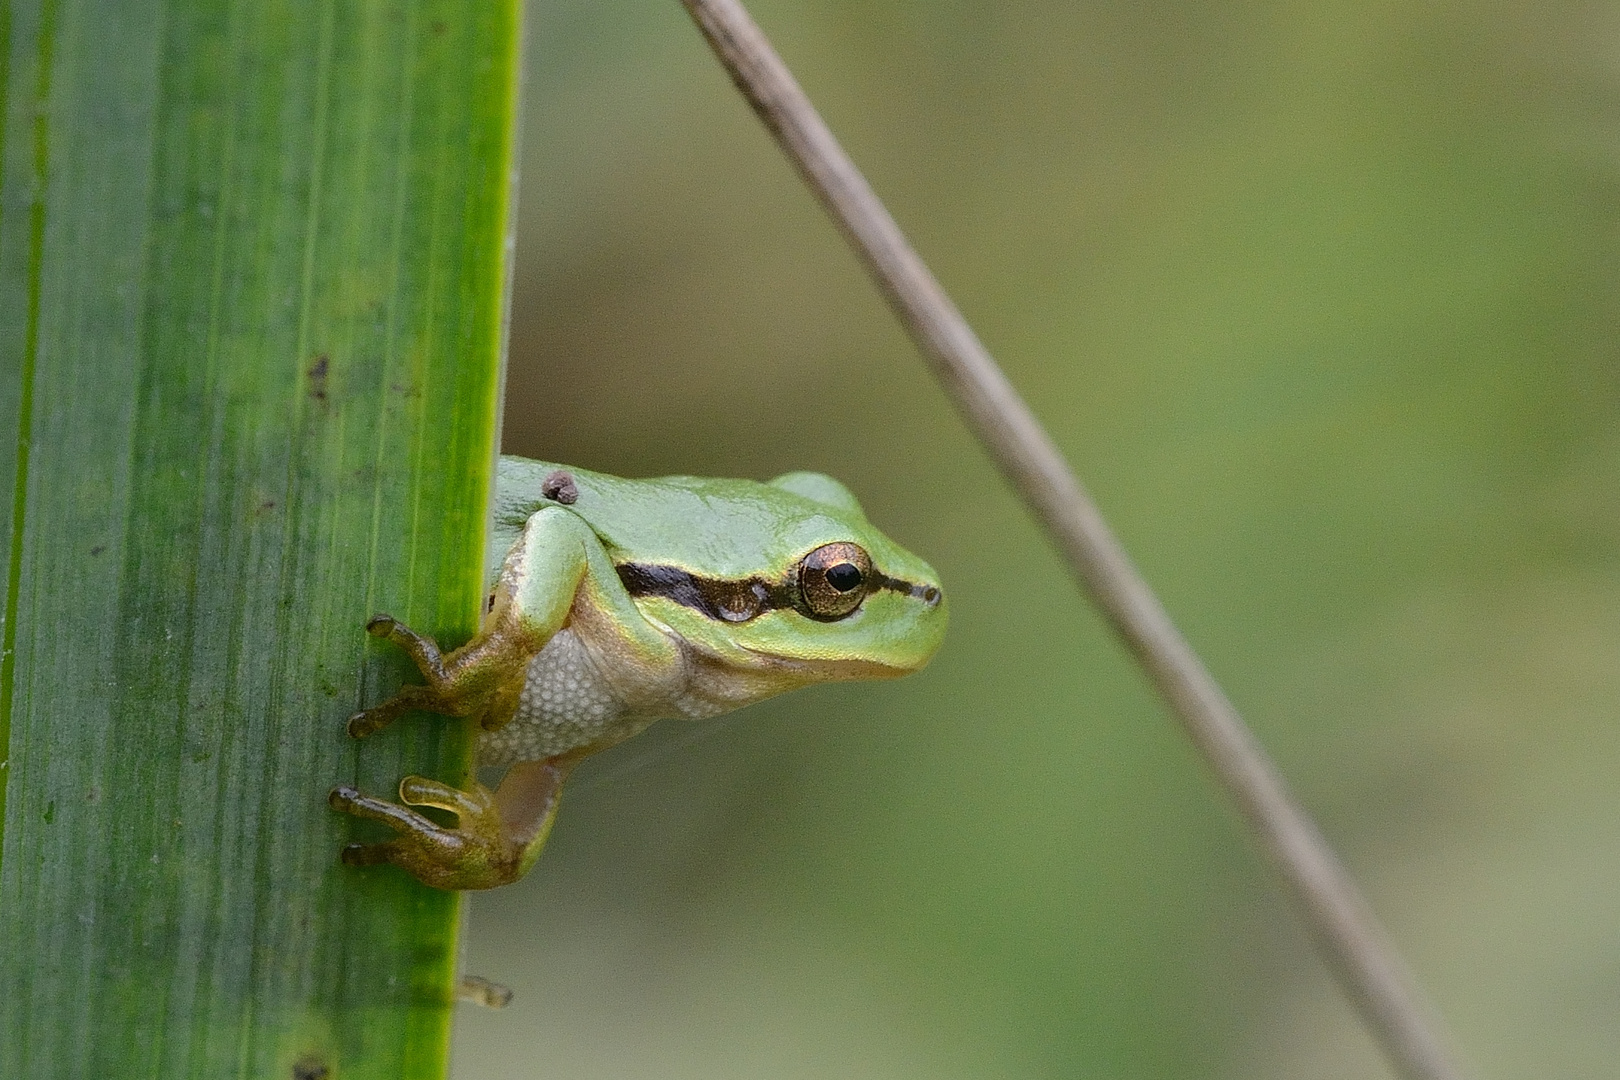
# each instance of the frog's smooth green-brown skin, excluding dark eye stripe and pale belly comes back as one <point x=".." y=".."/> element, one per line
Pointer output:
<point x="558" y="568"/>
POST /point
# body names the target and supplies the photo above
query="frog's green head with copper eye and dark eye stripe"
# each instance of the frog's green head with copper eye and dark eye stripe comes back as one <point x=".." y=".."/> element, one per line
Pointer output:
<point x="816" y="593"/>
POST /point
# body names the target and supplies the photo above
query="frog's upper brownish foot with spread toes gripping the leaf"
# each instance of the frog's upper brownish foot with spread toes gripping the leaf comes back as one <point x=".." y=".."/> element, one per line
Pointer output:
<point x="463" y="684"/>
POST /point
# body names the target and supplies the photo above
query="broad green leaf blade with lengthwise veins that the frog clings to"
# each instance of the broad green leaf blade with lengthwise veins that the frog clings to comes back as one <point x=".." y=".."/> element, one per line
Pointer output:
<point x="252" y="271"/>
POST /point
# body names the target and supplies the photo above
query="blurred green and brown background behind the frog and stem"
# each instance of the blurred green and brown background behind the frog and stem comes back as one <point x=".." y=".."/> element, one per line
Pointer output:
<point x="1321" y="299"/>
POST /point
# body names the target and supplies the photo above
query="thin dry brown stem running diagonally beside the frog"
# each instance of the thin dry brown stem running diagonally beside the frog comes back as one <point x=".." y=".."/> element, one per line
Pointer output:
<point x="1349" y="932"/>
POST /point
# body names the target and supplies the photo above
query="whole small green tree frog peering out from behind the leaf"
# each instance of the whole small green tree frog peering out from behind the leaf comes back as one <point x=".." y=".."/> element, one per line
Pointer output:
<point x="620" y="603"/>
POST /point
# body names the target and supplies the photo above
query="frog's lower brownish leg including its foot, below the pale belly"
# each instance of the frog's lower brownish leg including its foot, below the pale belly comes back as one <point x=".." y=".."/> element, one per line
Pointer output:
<point x="498" y="835"/>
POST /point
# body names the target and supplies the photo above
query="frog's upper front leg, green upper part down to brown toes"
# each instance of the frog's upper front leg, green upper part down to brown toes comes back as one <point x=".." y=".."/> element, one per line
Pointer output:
<point x="531" y="603"/>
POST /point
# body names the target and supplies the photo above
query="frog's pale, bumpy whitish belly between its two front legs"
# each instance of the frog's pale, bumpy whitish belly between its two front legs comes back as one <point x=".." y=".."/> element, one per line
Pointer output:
<point x="566" y="705"/>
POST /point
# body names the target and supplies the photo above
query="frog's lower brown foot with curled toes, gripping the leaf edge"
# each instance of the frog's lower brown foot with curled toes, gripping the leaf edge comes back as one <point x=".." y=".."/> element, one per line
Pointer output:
<point x="479" y="854"/>
